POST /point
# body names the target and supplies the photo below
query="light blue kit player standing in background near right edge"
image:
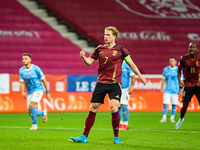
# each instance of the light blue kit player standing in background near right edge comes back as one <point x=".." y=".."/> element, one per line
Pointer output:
<point x="171" y="89"/>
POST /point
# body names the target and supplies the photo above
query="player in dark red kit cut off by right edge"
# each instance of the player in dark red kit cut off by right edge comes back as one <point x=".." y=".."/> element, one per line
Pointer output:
<point x="190" y="65"/>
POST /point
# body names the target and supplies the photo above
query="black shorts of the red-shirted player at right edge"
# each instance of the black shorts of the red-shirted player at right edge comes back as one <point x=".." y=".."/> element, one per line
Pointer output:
<point x="188" y="92"/>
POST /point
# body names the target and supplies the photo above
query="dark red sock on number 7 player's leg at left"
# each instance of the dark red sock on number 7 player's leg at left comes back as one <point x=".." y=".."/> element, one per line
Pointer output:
<point x="89" y="123"/>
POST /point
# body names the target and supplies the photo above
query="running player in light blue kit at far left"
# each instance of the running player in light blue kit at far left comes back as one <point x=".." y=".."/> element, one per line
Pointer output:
<point x="31" y="75"/>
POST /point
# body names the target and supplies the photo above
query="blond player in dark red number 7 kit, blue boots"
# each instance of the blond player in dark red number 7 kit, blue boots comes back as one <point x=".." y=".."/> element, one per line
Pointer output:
<point x="110" y="57"/>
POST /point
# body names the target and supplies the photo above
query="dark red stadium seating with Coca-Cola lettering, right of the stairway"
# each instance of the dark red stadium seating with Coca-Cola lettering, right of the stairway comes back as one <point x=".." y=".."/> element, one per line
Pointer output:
<point x="152" y="31"/>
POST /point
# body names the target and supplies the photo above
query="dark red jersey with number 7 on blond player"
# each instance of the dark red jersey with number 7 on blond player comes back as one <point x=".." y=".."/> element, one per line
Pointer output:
<point x="110" y="63"/>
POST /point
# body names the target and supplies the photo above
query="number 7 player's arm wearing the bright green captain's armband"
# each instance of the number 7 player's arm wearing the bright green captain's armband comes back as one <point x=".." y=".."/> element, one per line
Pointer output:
<point x="135" y="69"/>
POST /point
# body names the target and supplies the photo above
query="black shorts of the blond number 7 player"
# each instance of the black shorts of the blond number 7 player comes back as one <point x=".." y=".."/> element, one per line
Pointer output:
<point x="101" y="89"/>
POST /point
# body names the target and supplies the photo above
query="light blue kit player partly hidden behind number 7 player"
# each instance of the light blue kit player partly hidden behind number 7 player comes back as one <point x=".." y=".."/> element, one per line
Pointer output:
<point x="127" y="89"/>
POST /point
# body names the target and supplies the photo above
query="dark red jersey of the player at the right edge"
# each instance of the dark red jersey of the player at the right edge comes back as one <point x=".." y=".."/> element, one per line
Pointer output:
<point x="191" y="70"/>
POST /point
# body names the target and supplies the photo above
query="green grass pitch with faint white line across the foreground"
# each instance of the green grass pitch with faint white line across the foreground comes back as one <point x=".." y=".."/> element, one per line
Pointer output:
<point x="145" y="132"/>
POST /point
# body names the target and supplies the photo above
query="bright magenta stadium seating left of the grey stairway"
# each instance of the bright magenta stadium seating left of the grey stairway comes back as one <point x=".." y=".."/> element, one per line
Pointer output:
<point x="22" y="32"/>
